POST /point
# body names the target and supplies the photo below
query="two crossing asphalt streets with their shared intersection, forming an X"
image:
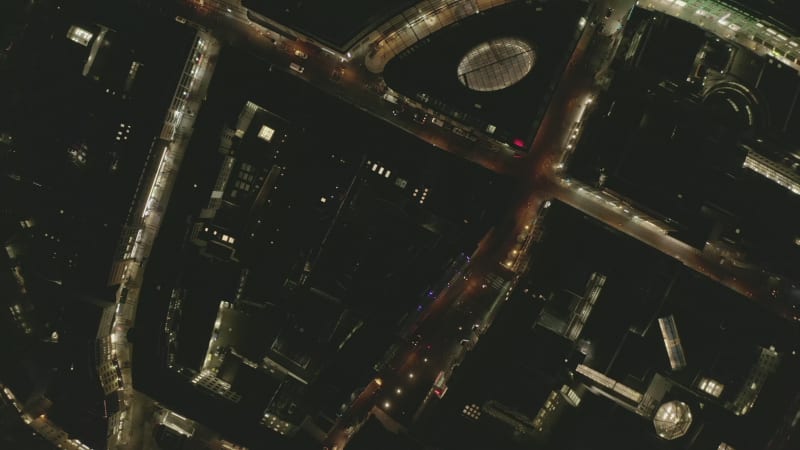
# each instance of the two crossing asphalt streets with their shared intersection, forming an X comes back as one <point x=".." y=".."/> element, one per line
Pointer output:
<point x="406" y="383"/>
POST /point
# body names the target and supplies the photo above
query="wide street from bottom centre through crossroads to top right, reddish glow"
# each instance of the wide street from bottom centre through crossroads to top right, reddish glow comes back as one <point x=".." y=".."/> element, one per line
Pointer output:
<point x="439" y="348"/>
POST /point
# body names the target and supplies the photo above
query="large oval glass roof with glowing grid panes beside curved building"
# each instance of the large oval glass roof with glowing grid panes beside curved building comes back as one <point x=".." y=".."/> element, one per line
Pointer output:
<point x="496" y="64"/>
